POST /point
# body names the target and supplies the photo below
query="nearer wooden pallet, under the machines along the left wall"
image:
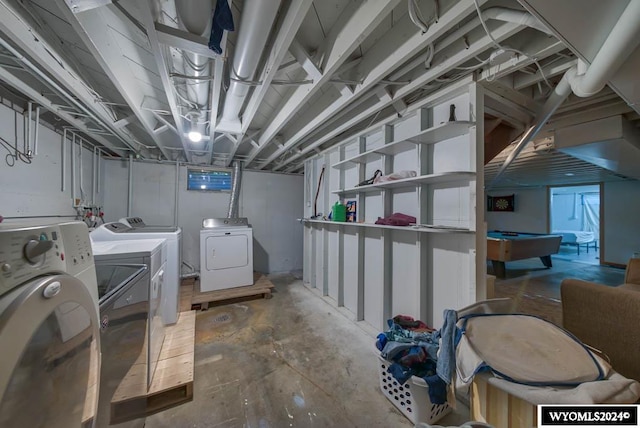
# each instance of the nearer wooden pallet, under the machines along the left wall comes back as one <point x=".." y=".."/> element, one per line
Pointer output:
<point x="172" y="382"/>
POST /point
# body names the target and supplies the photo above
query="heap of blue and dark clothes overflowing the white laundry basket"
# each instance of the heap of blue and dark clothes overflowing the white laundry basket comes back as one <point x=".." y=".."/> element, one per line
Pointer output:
<point x="415" y="349"/>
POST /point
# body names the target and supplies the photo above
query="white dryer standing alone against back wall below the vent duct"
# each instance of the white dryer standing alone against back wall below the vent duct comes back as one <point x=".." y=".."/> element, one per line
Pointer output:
<point x="226" y="254"/>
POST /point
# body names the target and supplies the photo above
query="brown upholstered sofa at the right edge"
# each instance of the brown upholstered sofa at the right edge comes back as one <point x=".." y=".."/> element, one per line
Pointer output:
<point x="607" y="318"/>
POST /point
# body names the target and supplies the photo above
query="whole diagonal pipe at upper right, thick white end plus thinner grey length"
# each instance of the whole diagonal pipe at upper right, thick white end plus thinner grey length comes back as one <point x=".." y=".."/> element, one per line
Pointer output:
<point x="622" y="40"/>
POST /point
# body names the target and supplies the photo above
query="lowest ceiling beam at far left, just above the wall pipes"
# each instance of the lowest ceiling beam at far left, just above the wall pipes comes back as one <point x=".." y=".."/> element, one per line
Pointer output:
<point x="20" y="85"/>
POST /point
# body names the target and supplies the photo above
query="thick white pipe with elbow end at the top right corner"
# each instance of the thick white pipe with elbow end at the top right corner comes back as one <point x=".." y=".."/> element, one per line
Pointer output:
<point x="620" y="43"/>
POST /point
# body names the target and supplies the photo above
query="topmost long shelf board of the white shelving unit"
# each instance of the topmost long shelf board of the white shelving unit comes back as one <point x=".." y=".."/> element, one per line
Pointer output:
<point x="428" y="136"/>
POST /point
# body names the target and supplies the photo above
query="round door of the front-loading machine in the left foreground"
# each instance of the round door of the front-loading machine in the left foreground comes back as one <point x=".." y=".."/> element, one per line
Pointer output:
<point x="50" y="342"/>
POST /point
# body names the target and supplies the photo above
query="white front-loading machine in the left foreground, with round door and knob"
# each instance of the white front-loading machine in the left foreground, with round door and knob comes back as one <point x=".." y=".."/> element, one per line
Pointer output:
<point x="49" y="327"/>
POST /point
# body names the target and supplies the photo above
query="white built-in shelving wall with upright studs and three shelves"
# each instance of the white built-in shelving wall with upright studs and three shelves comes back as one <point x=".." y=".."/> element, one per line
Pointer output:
<point x="377" y="271"/>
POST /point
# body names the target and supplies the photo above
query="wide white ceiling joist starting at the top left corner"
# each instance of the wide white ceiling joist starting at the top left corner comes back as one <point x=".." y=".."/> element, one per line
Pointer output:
<point x="39" y="53"/>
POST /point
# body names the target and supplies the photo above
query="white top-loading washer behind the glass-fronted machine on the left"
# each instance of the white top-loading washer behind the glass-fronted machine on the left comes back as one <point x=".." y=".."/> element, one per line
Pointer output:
<point x="119" y="231"/>
